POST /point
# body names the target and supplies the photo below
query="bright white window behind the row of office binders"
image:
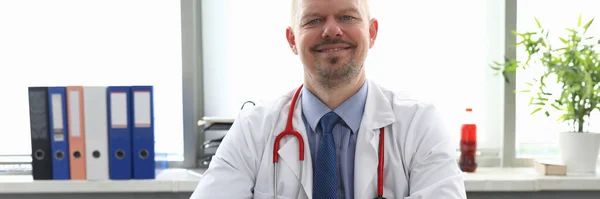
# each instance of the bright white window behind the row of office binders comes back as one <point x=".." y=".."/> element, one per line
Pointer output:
<point x="59" y="43"/>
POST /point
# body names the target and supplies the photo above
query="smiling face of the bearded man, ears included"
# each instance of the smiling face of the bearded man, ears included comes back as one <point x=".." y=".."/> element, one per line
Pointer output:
<point x="332" y="38"/>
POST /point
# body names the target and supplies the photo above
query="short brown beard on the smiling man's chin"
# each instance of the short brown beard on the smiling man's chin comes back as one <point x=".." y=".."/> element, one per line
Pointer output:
<point x="331" y="75"/>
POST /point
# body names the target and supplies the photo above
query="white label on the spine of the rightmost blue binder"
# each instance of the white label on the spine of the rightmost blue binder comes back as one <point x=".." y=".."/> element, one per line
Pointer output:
<point x="142" y="109"/>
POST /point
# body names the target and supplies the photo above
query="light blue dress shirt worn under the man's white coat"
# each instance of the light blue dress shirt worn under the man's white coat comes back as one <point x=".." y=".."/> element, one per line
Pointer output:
<point x="344" y="133"/>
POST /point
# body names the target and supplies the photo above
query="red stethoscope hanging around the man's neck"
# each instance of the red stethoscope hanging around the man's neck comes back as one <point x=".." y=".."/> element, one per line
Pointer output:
<point x="289" y="130"/>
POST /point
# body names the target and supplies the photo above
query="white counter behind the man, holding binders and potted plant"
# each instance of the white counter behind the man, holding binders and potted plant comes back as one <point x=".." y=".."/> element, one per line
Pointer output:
<point x="489" y="183"/>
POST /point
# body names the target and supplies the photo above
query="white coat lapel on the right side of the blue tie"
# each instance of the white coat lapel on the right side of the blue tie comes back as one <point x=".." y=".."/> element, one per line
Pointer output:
<point x="378" y="113"/>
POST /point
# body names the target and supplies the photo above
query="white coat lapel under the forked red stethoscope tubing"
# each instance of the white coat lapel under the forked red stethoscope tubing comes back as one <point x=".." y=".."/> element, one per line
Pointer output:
<point x="288" y="152"/>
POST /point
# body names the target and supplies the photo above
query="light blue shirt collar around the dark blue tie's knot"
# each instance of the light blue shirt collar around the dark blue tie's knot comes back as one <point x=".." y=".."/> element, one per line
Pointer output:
<point x="351" y="110"/>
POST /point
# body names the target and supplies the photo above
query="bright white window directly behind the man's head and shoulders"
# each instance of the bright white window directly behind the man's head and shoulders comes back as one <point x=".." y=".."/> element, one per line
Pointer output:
<point x="437" y="53"/>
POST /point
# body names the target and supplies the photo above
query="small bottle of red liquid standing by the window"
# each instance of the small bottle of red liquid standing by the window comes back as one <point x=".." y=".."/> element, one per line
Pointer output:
<point x="468" y="143"/>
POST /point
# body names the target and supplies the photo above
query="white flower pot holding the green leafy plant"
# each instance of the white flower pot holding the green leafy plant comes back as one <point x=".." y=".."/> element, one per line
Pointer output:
<point x="579" y="152"/>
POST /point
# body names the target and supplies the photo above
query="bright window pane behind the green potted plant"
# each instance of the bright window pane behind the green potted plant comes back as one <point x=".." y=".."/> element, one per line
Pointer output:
<point x="537" y="135"/>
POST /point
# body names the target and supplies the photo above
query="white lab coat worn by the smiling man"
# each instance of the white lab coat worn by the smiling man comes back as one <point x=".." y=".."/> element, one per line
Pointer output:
<point x="419" y="156"/>
